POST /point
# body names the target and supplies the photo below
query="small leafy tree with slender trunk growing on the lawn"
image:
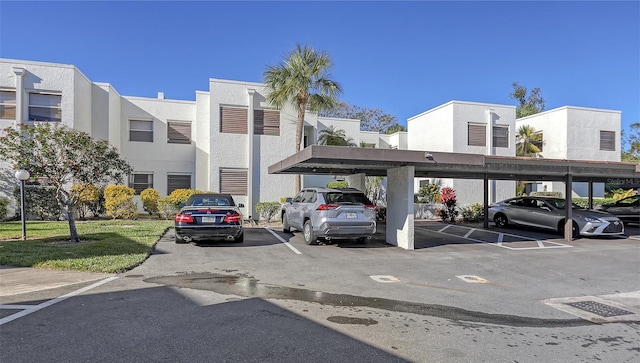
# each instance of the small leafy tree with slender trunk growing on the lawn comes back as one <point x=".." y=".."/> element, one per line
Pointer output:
<point x="65" y="157"/>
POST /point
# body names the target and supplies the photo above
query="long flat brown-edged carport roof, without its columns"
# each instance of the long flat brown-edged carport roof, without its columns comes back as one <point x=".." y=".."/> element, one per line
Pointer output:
<point x="340" y="160"/>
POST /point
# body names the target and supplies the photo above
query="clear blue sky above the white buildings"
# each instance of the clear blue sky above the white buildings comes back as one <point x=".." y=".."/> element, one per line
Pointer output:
<point x="401" y="57"/>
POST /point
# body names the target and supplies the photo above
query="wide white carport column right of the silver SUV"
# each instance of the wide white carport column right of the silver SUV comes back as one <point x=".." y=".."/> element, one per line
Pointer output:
<point x="400" y="228"/>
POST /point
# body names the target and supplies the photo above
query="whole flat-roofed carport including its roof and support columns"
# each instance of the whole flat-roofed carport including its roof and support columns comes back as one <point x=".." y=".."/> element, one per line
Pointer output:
<point x="402" y="166"/>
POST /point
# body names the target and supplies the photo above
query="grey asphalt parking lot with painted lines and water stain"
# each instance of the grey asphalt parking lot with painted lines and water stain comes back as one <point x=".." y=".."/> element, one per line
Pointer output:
<point x="465" y="294"/>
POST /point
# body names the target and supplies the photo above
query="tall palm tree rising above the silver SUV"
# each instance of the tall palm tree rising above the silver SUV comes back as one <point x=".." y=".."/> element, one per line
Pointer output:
<point x="302" y="79"/>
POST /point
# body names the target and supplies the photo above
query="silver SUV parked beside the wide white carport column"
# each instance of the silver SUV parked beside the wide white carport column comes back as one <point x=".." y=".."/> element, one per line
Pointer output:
<point x="330" y="214"/>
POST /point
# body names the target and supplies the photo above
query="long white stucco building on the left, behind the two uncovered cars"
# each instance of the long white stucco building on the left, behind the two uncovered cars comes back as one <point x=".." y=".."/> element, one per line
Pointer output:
<point x="223" y="141"/>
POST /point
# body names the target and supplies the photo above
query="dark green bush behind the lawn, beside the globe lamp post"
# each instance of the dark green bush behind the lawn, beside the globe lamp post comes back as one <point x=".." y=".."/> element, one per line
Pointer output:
<point x="41" y="201"/>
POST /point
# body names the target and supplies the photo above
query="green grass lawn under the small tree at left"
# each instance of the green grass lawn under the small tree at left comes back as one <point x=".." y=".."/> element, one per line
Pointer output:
<point x="106" y="245"/>
